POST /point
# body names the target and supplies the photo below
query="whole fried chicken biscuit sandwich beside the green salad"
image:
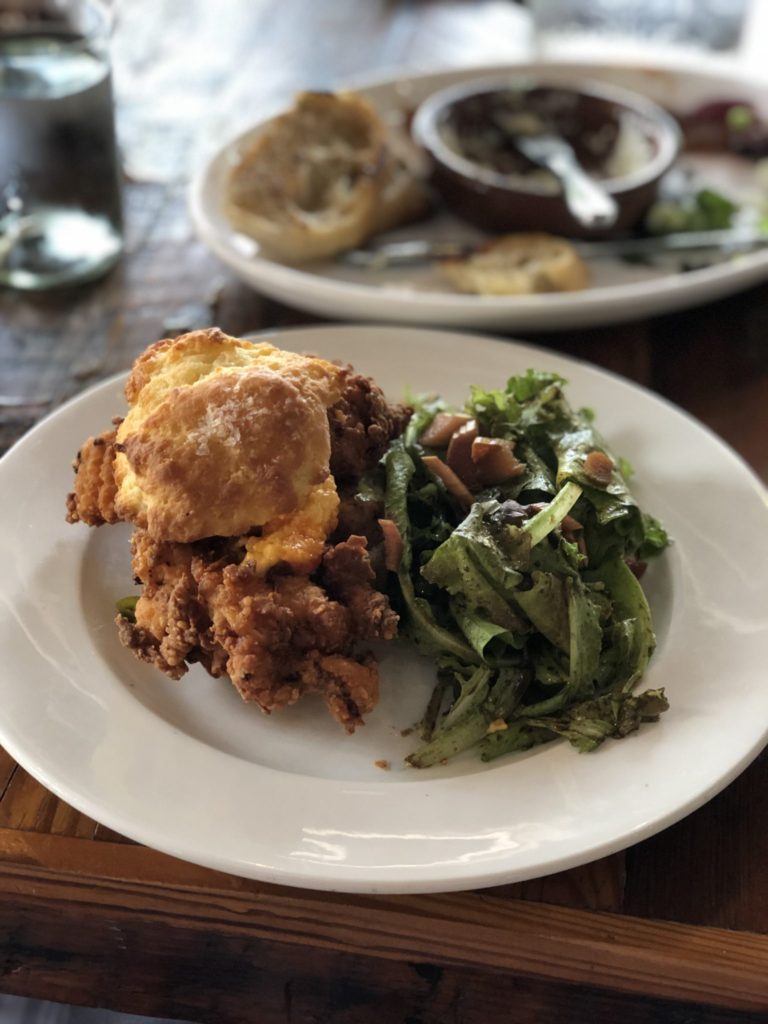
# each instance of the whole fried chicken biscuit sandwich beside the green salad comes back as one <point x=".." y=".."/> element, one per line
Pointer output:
<point x="238" y="466"/>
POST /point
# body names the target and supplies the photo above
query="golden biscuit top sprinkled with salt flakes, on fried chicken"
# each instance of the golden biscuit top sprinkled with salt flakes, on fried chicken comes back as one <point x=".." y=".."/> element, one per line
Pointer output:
<point x="223" y="436"/>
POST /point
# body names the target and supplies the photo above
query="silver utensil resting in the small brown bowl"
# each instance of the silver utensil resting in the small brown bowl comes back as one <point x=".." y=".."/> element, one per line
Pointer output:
<point x="589" y="203"/>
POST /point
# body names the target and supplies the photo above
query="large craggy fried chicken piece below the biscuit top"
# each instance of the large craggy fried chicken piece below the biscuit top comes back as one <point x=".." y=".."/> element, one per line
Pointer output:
<point x="277" y="638"/>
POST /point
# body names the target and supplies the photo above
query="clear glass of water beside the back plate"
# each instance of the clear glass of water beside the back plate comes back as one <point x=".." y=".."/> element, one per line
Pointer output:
<point x="61" y="219"/>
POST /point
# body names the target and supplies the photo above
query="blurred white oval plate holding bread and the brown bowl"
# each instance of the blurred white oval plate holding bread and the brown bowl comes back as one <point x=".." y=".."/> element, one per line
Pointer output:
<point x="621" y="291"/>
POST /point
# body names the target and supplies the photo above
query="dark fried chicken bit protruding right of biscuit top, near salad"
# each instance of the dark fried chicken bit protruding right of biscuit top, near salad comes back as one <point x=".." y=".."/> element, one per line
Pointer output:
<point x="362" y="424"/>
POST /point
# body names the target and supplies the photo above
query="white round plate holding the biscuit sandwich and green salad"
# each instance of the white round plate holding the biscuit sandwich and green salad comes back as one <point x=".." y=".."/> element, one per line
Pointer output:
<point x="188" y="769"/>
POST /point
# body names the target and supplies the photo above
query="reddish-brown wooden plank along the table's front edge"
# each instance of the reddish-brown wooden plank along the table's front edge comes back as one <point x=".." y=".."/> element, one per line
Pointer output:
<point x="632" y="956"/>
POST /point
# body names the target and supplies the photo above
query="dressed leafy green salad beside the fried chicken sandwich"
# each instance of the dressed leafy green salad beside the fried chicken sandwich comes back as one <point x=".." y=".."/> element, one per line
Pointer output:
<point x="533" y="638"/>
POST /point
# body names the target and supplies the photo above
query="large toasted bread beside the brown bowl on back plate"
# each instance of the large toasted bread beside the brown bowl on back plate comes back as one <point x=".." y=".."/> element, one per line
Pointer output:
<point x="321" y="180"/>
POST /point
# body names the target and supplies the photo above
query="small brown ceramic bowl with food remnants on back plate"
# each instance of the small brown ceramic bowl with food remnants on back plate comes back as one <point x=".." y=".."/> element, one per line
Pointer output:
<point x="621" y="139"/>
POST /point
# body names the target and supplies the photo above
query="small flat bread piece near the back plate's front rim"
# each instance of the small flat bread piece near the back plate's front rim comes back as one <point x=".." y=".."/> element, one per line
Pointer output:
<point x="519" y="265"/>
